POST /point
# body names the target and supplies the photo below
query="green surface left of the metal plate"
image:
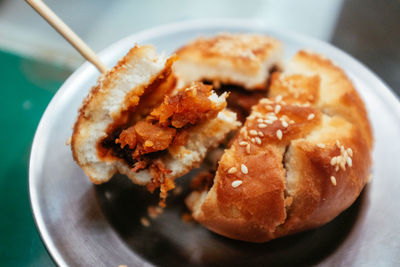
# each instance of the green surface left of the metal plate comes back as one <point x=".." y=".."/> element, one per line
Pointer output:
<point x="27" y="86"/>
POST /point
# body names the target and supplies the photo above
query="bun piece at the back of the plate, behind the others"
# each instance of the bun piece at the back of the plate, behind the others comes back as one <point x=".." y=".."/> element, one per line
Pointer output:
<point x="240" y="59"/>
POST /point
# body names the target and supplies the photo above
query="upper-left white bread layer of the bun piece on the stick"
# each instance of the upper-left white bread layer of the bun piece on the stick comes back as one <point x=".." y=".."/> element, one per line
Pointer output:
<point x="116" y="93"/>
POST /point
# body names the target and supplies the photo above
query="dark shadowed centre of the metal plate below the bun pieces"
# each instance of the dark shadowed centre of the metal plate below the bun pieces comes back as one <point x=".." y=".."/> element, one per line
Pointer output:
<point x="170" y="241"/>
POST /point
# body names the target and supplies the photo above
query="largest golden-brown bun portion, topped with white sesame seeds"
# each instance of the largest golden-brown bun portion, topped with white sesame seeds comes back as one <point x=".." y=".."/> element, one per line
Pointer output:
<point x="302" y="157"/>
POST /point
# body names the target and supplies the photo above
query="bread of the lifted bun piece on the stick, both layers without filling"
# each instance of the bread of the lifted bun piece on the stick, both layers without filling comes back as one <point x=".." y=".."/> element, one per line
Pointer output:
<point x="138" y="84"/>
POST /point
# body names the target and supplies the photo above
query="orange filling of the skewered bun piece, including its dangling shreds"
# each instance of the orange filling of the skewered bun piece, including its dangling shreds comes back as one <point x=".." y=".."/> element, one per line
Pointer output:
<point x="142" y="145"/>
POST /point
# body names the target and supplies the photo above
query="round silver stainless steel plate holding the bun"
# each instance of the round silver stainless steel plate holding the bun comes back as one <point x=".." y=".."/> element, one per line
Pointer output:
<point x="86" y="225"/>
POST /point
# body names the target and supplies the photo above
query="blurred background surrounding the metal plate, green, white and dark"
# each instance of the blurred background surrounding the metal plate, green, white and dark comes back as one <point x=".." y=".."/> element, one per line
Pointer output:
<point x="35" y="61"/>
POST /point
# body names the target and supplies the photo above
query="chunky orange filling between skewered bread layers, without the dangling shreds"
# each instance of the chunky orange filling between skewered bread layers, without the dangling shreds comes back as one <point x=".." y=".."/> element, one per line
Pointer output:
<point x="168" y="123"/>
